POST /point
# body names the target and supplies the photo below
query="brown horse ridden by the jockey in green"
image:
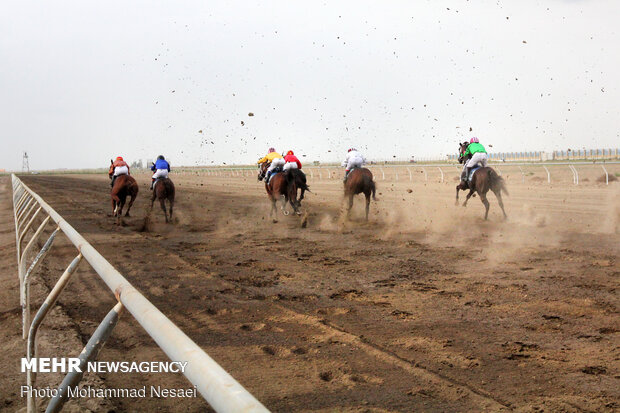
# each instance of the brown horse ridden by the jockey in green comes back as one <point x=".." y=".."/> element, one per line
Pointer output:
<point x="483" y="179"/>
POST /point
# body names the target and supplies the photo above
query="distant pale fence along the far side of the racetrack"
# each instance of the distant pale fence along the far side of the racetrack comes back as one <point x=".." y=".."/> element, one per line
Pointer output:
<point x="407" y="172"/>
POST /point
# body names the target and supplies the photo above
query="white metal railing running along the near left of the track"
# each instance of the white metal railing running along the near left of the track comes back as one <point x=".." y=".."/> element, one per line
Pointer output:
<point x="218" y="387"/>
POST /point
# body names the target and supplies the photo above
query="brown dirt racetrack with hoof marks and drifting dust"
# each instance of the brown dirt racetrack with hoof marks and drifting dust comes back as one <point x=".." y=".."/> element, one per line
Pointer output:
<point x="424" y="308"/>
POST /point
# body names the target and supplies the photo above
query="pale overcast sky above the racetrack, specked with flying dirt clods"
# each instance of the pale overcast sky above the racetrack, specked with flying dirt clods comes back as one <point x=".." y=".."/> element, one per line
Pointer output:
<point x="82" y="82"/>
